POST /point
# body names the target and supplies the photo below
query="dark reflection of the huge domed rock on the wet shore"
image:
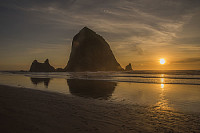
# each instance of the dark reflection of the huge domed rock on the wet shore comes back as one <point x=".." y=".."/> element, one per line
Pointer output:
<point x="91" y="88"/>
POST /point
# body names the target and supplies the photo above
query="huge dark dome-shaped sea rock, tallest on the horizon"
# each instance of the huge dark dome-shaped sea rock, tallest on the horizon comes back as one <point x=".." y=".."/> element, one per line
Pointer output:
<point x="90" y="52"/>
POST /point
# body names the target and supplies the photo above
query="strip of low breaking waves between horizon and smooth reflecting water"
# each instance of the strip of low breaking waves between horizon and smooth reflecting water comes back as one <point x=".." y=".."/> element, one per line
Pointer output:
<point x="119" y="77"/>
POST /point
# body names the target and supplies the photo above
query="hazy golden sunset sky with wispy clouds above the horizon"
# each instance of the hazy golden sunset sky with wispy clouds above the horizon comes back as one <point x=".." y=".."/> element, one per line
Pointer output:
<point x="139" y="32"/>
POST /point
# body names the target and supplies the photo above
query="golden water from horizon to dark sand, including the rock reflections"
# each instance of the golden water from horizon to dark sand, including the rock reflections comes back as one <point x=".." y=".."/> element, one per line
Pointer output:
<point x="177" y="90"/>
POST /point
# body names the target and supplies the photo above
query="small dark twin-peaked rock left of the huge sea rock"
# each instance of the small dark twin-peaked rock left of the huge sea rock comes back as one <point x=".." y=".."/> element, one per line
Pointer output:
<point x="41" y="67"/>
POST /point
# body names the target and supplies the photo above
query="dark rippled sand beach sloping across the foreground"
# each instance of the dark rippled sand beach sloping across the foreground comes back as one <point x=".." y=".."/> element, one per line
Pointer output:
<point x="26" y="110"/>
